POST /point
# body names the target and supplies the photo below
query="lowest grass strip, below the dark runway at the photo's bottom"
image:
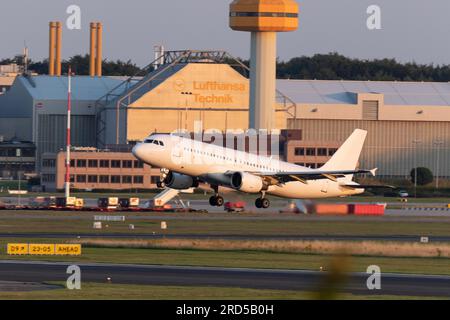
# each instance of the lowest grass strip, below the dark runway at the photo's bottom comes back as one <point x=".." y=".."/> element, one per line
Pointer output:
<point x="95" y="291"/>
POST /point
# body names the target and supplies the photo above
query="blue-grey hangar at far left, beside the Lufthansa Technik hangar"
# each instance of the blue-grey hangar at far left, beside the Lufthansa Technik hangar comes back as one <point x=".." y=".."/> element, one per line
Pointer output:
<point x="35" y="109"/>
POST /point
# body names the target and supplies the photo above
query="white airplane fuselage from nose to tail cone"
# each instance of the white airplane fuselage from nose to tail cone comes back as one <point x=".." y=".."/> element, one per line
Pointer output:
<point x="213" y="164"/>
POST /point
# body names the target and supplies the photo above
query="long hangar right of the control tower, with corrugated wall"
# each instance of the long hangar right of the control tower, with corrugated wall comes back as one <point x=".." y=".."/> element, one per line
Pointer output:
<point x="408" y="123"/>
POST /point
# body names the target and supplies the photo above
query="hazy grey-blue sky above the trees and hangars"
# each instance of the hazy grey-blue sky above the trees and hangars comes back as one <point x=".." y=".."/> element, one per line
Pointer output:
<point x="411" y="30"/>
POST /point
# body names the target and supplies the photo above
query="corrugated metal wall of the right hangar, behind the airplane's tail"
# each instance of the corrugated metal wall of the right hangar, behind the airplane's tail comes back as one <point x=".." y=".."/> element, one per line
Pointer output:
<point x="395" y="147"/>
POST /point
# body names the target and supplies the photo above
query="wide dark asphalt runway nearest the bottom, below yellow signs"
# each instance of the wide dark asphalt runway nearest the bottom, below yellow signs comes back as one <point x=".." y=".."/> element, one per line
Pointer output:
<point x="391" y="284"/>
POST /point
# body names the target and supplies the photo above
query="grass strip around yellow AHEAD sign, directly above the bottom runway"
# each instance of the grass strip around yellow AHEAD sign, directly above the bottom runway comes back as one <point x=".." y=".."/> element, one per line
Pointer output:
<point x="242" y="258"/>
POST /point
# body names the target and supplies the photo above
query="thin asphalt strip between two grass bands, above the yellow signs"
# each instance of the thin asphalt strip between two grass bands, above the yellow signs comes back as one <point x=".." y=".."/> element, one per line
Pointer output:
<point x="259" y="237"/>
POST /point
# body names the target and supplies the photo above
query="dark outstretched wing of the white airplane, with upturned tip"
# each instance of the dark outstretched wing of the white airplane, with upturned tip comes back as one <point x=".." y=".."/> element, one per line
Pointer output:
<point x="303" y="176"/>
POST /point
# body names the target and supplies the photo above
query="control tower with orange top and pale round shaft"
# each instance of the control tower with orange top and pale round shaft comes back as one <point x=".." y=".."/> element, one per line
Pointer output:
<point x="263" y="18"/>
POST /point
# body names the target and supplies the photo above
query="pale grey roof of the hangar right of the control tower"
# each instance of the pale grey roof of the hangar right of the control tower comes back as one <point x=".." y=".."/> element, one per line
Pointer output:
<point x="345" y="92"/>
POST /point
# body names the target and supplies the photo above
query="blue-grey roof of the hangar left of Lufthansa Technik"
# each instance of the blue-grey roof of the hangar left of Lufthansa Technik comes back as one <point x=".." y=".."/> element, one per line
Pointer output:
<point x="55" y="88"/>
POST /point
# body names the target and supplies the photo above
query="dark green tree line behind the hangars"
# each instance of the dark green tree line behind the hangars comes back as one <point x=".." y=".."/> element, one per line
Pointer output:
<point x="332" y="66"/>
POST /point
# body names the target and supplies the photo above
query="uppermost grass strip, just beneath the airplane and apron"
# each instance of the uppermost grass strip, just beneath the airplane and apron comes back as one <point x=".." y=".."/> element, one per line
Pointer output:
<point x="243" y="224"/>
